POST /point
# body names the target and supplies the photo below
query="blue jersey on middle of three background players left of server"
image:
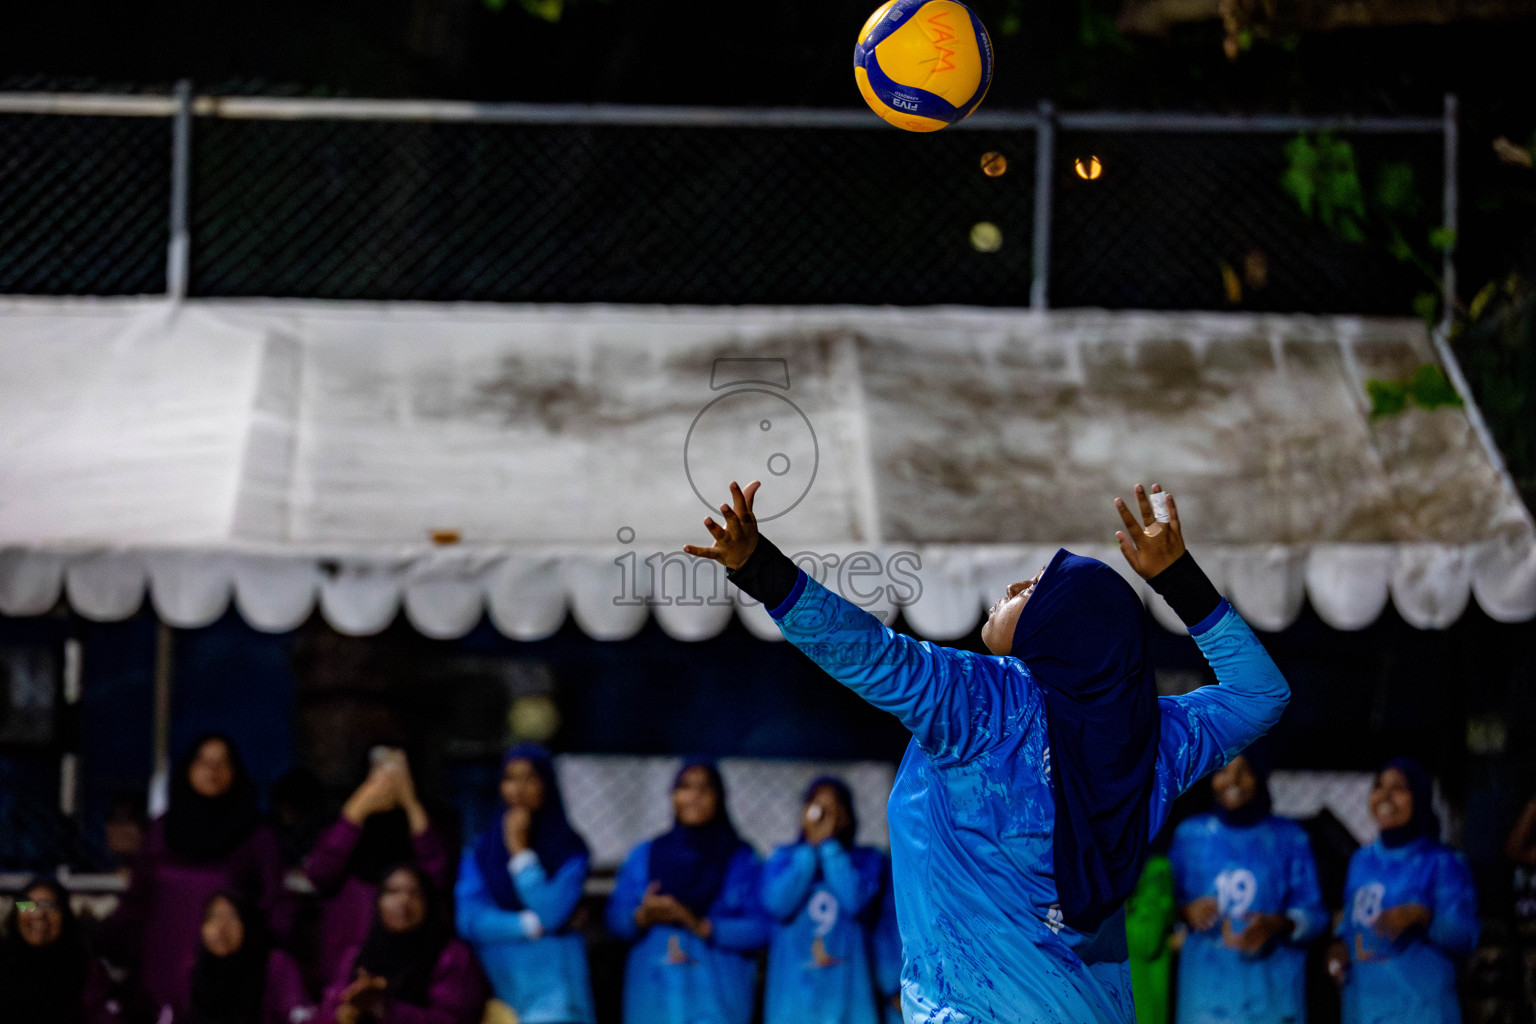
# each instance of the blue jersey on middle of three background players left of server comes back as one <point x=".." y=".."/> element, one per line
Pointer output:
<point x="675" y="977"/>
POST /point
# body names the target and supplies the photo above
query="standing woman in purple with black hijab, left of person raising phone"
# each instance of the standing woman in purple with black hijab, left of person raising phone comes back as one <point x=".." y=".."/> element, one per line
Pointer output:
<point x="210" y="841"/>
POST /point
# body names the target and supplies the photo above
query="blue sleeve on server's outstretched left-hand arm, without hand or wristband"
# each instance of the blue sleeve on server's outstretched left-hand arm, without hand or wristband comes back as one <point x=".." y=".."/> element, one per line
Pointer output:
<point x="953" y="702"/>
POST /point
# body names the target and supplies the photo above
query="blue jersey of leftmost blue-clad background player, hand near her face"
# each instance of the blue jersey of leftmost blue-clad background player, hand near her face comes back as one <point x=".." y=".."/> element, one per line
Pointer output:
<point x="534" y="966"/>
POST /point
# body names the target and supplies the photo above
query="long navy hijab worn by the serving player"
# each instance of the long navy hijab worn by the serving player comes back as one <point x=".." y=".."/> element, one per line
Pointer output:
<point x="1084" y="639"/>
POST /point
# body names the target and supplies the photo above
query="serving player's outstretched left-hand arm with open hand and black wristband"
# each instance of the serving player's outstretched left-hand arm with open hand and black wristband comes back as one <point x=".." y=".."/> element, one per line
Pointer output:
<point x="945" y="698"/>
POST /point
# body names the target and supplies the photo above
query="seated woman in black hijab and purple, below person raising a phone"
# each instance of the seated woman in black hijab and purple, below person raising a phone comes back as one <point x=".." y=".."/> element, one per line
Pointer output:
<point x="409" y="969"/>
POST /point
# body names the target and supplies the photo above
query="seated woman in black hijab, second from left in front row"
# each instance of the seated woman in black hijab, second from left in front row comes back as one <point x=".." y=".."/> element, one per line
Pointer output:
<point x="239" y="979"/>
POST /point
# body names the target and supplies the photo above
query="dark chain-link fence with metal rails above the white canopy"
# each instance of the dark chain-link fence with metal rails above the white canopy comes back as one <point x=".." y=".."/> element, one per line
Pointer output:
<point x="423" y="200"/>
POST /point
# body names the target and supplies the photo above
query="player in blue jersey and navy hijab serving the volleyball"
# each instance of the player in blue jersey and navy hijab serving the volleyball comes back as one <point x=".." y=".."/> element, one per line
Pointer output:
<point x="1038" y="775"/>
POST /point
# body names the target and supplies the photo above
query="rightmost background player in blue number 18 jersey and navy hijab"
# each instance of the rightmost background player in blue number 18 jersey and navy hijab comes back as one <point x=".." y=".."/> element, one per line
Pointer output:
<point x="1411" y="914"/>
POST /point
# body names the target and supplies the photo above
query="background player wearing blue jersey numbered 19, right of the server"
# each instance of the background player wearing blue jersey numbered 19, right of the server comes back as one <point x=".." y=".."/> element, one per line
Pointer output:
<point x="1246" y="885"/>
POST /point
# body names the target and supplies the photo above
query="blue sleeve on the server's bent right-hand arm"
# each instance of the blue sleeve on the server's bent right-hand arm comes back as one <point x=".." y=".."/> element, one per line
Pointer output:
<point x="1205" y="730"/>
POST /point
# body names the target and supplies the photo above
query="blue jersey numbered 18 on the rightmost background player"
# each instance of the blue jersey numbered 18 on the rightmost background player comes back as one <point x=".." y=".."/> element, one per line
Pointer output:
<point x="1412" y="979"/>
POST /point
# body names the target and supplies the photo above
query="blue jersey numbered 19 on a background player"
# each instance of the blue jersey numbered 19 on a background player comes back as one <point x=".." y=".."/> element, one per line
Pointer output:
<point x="1266" y="868"/>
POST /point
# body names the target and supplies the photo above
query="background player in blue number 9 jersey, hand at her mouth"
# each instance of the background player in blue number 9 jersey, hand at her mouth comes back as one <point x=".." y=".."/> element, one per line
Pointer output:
<point x="819" y="891"/>
